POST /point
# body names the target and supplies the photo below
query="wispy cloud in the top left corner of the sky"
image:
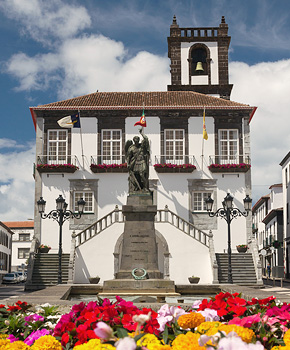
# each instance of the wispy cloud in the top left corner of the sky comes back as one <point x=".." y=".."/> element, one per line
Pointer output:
<point x="46" y="21"/>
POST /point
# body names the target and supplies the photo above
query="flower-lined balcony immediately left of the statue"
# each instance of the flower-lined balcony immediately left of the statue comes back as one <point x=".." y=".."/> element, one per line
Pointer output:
<point x="113" y="164"/>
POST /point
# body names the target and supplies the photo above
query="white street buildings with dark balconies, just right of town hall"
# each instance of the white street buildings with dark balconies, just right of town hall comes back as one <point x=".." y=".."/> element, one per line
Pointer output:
<point x="268" y="230"/>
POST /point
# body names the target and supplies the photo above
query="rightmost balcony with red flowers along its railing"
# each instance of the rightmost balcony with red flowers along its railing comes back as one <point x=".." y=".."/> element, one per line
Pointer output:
<point x="229" y="164"/>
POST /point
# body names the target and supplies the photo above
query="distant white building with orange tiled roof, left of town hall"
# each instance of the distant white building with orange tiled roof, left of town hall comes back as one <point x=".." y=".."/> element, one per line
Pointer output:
<point x="21" y="242"/>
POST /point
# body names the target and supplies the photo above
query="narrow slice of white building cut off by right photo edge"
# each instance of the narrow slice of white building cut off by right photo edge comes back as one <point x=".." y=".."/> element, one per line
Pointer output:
<point x="285" y="164"/>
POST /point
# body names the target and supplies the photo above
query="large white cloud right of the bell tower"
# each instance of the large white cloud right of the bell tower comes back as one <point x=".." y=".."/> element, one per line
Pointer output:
<point x="265" y="85"/>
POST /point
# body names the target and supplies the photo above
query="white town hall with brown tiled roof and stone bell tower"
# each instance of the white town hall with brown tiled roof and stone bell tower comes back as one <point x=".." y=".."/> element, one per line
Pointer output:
<point x="69" y="161"/>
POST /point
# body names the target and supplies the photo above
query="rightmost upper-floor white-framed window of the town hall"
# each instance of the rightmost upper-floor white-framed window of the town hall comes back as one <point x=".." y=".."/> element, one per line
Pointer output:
<point x="228" y="146"/>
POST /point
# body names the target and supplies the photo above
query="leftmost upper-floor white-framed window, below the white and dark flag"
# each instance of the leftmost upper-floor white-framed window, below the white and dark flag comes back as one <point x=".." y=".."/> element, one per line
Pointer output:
<point x="57" y="146"/>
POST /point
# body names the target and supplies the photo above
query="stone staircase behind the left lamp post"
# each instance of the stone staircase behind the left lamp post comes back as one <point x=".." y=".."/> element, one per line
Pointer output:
<point x="45" y="270"/>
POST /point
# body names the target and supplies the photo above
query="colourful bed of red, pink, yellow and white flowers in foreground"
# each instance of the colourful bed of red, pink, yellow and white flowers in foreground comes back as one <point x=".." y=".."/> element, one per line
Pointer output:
<point x="225" y="322"/>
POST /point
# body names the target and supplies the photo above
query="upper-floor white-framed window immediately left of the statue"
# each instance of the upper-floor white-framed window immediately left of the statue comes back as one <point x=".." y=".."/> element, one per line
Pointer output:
<point x="111" y="146"/>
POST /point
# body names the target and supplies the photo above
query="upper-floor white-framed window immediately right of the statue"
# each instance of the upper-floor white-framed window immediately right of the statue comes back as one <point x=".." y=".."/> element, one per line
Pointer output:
<point x="174" y="146"/>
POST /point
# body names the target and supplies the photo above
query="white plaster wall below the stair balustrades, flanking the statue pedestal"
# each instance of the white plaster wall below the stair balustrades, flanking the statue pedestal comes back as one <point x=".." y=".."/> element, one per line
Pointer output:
<point x="187" y="256"/>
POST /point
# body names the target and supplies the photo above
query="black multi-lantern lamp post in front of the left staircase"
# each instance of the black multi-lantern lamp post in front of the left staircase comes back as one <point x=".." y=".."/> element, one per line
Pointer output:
<point x="60" y="214"/>
